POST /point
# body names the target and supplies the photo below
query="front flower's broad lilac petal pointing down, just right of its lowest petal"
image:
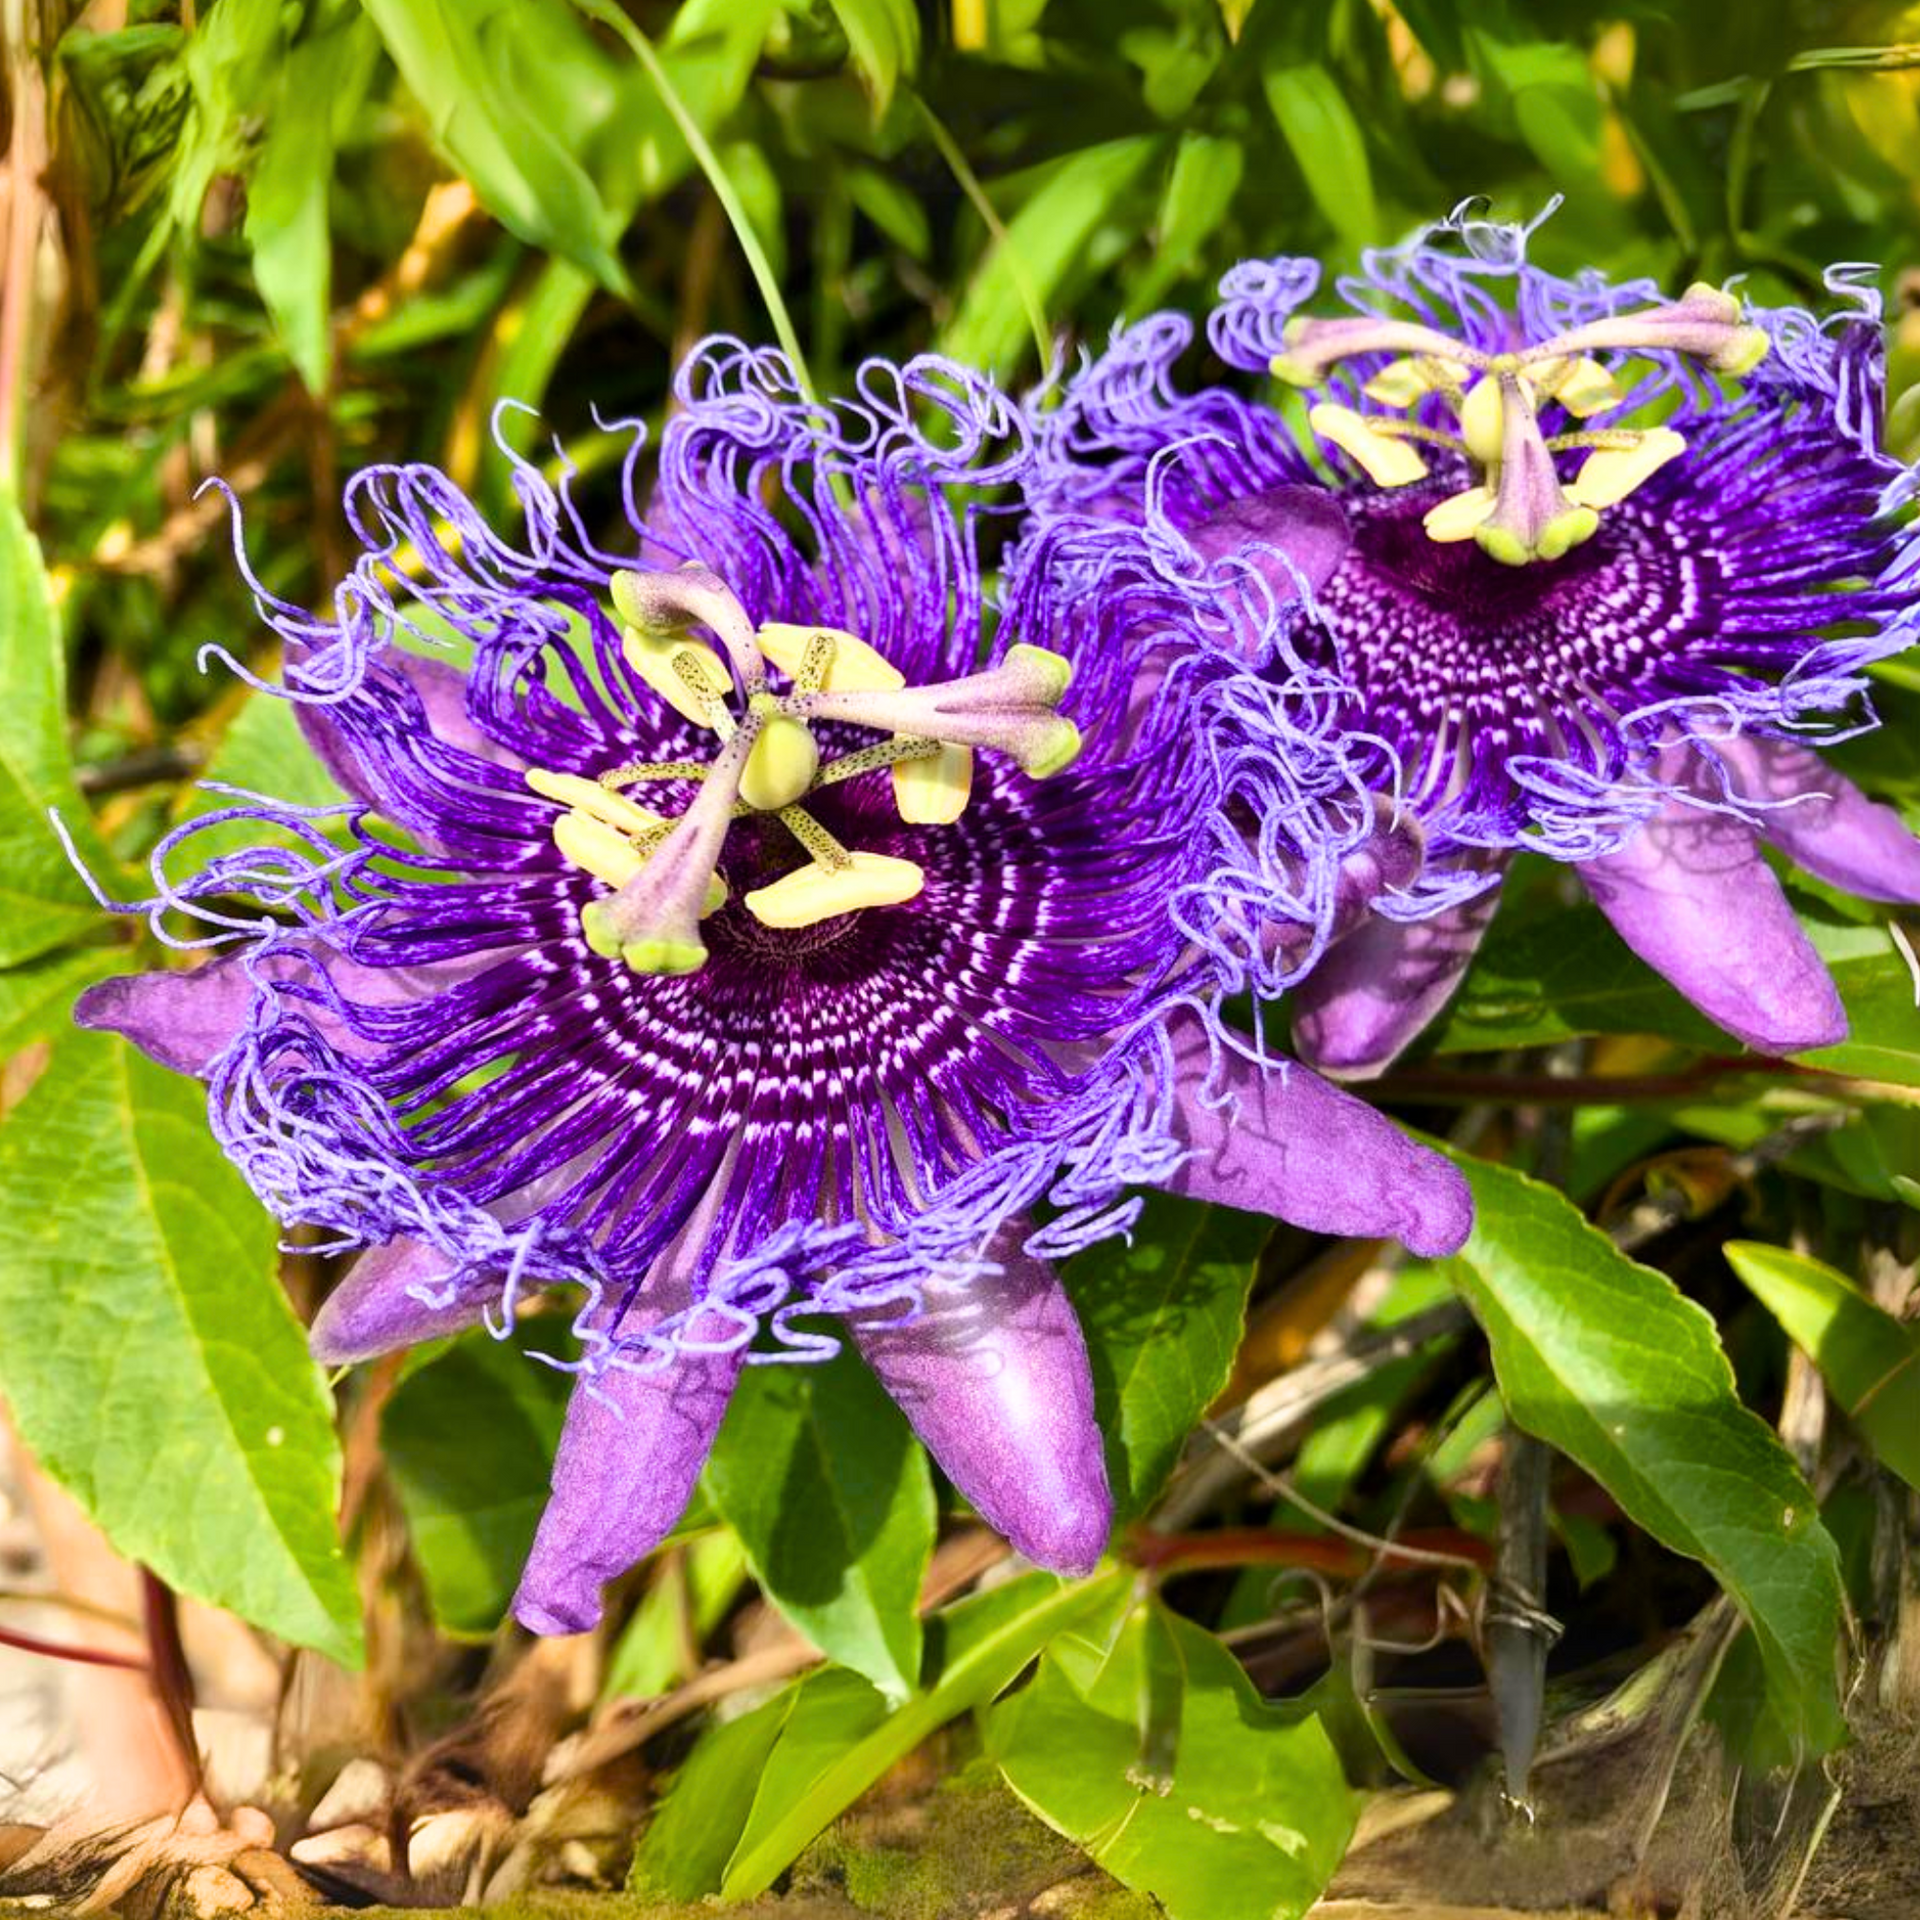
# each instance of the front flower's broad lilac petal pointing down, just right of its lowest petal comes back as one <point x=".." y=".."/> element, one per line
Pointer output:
<point x="997" y="1385"/>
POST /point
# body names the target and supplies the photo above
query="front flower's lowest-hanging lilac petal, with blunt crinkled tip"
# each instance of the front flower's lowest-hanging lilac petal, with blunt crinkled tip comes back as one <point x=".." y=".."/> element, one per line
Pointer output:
<point x="631" y="1452"/>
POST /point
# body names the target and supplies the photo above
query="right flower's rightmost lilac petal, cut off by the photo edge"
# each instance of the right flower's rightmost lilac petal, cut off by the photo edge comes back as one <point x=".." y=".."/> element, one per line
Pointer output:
<point x="1836" y="832"/>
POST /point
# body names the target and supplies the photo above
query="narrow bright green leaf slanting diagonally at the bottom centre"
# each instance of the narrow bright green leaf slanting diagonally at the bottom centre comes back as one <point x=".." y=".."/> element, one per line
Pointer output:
<point x="974" y="1652"/>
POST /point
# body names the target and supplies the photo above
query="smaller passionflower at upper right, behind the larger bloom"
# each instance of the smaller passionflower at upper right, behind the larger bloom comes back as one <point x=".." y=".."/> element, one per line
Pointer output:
<point x="1587" y="571"/>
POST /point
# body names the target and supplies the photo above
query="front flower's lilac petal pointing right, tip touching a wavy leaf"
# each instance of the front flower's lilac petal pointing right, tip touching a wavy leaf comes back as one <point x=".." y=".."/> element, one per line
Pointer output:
<point x="1284" y="1141"/>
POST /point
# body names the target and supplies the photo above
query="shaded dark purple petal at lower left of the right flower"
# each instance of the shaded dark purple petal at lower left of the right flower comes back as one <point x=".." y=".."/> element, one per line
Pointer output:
<point x="1380" y="986"/>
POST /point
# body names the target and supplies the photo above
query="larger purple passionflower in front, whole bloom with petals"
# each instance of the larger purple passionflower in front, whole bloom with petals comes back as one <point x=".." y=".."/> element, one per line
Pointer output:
<point x="748" y="936"/>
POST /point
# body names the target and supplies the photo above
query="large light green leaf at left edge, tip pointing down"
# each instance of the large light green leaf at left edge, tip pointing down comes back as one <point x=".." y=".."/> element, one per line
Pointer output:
<point x="149" y="1353"/>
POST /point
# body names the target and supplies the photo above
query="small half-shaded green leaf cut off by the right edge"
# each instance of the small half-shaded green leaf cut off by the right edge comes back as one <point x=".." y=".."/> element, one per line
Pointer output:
<point x="1865" y="1355"/>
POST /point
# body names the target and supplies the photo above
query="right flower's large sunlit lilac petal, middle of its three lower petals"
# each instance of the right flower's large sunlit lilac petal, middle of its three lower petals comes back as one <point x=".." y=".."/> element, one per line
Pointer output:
<point x="1692" y="896"/>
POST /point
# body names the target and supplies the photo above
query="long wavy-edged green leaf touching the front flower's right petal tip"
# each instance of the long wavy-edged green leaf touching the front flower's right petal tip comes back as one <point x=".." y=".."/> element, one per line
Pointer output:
<point x="1608" y="1362"/>
